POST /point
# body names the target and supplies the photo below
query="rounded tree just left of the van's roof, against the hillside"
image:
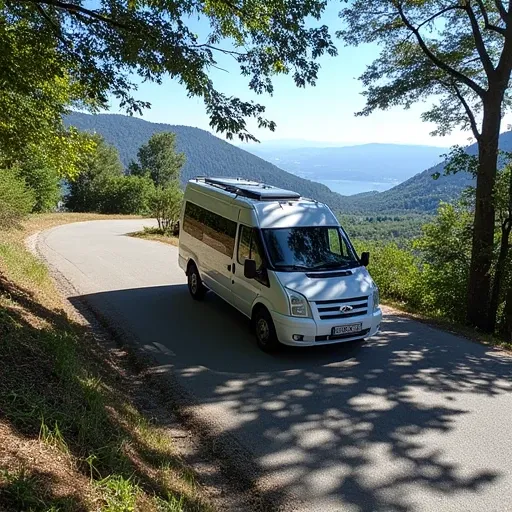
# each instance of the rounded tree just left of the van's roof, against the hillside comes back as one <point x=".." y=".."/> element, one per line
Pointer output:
<point x="158" y="160"/>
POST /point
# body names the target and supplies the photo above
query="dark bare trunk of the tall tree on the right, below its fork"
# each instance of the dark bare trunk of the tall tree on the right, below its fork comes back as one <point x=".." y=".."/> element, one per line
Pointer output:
<point x="483" y="232"/>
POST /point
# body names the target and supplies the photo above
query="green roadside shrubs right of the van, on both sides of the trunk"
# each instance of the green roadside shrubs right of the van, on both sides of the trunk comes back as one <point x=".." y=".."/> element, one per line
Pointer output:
<point x="428" y="275"/>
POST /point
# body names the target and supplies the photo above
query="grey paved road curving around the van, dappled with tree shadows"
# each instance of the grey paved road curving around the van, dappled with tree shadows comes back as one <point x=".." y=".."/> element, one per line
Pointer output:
<point x="413" y="420"/>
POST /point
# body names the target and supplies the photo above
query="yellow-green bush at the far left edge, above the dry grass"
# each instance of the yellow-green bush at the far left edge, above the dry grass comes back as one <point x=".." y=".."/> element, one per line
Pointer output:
<point x="16" y="199"/>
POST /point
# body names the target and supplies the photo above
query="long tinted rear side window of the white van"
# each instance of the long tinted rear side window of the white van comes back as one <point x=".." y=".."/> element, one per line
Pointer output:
<point x="212" y="229"/>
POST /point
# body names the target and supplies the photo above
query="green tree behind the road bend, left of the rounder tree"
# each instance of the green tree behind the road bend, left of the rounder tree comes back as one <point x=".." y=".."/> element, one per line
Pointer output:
<point x="87" y="193"/>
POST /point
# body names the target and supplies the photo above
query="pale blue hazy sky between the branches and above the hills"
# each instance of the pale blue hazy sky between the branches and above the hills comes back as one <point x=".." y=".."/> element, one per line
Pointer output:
<point x="323" y="113"/>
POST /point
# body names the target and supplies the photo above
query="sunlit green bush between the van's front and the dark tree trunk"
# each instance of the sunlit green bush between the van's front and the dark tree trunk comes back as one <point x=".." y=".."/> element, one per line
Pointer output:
<point x="431" y="276"/>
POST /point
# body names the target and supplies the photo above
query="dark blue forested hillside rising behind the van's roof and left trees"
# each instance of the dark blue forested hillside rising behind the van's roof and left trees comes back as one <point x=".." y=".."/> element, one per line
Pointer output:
<point x="206" y="154"/>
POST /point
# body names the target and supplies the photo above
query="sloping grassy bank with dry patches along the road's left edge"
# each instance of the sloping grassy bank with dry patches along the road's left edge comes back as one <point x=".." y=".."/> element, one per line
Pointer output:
<point x="72" y="437"/>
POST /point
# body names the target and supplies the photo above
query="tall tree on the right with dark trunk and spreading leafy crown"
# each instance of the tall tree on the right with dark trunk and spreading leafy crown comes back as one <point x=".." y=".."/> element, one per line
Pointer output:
<point x="460" y="52"/>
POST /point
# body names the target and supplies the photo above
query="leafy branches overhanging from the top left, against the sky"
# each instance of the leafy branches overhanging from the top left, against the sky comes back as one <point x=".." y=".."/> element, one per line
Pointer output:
<point x="100" y="44"/>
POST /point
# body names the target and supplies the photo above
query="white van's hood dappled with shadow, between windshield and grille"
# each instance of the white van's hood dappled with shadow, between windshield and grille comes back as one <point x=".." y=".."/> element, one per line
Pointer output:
<point x="322" y="287"/>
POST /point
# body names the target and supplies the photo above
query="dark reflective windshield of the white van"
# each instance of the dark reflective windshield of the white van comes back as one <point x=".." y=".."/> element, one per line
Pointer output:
<point x="309" y="248"/>
